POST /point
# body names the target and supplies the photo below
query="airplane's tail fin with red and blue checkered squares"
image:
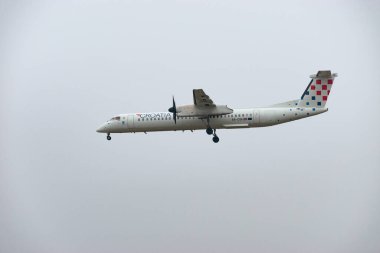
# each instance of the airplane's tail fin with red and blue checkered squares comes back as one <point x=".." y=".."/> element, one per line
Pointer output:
<point x="318" y="90"/>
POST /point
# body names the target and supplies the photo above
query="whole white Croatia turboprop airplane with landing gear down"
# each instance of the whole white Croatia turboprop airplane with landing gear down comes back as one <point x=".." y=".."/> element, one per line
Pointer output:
<point x="205" y="114"/>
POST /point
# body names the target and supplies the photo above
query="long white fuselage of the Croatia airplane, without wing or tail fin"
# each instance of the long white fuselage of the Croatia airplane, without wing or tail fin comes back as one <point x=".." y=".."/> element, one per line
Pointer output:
<point x="240" y="118"/>
